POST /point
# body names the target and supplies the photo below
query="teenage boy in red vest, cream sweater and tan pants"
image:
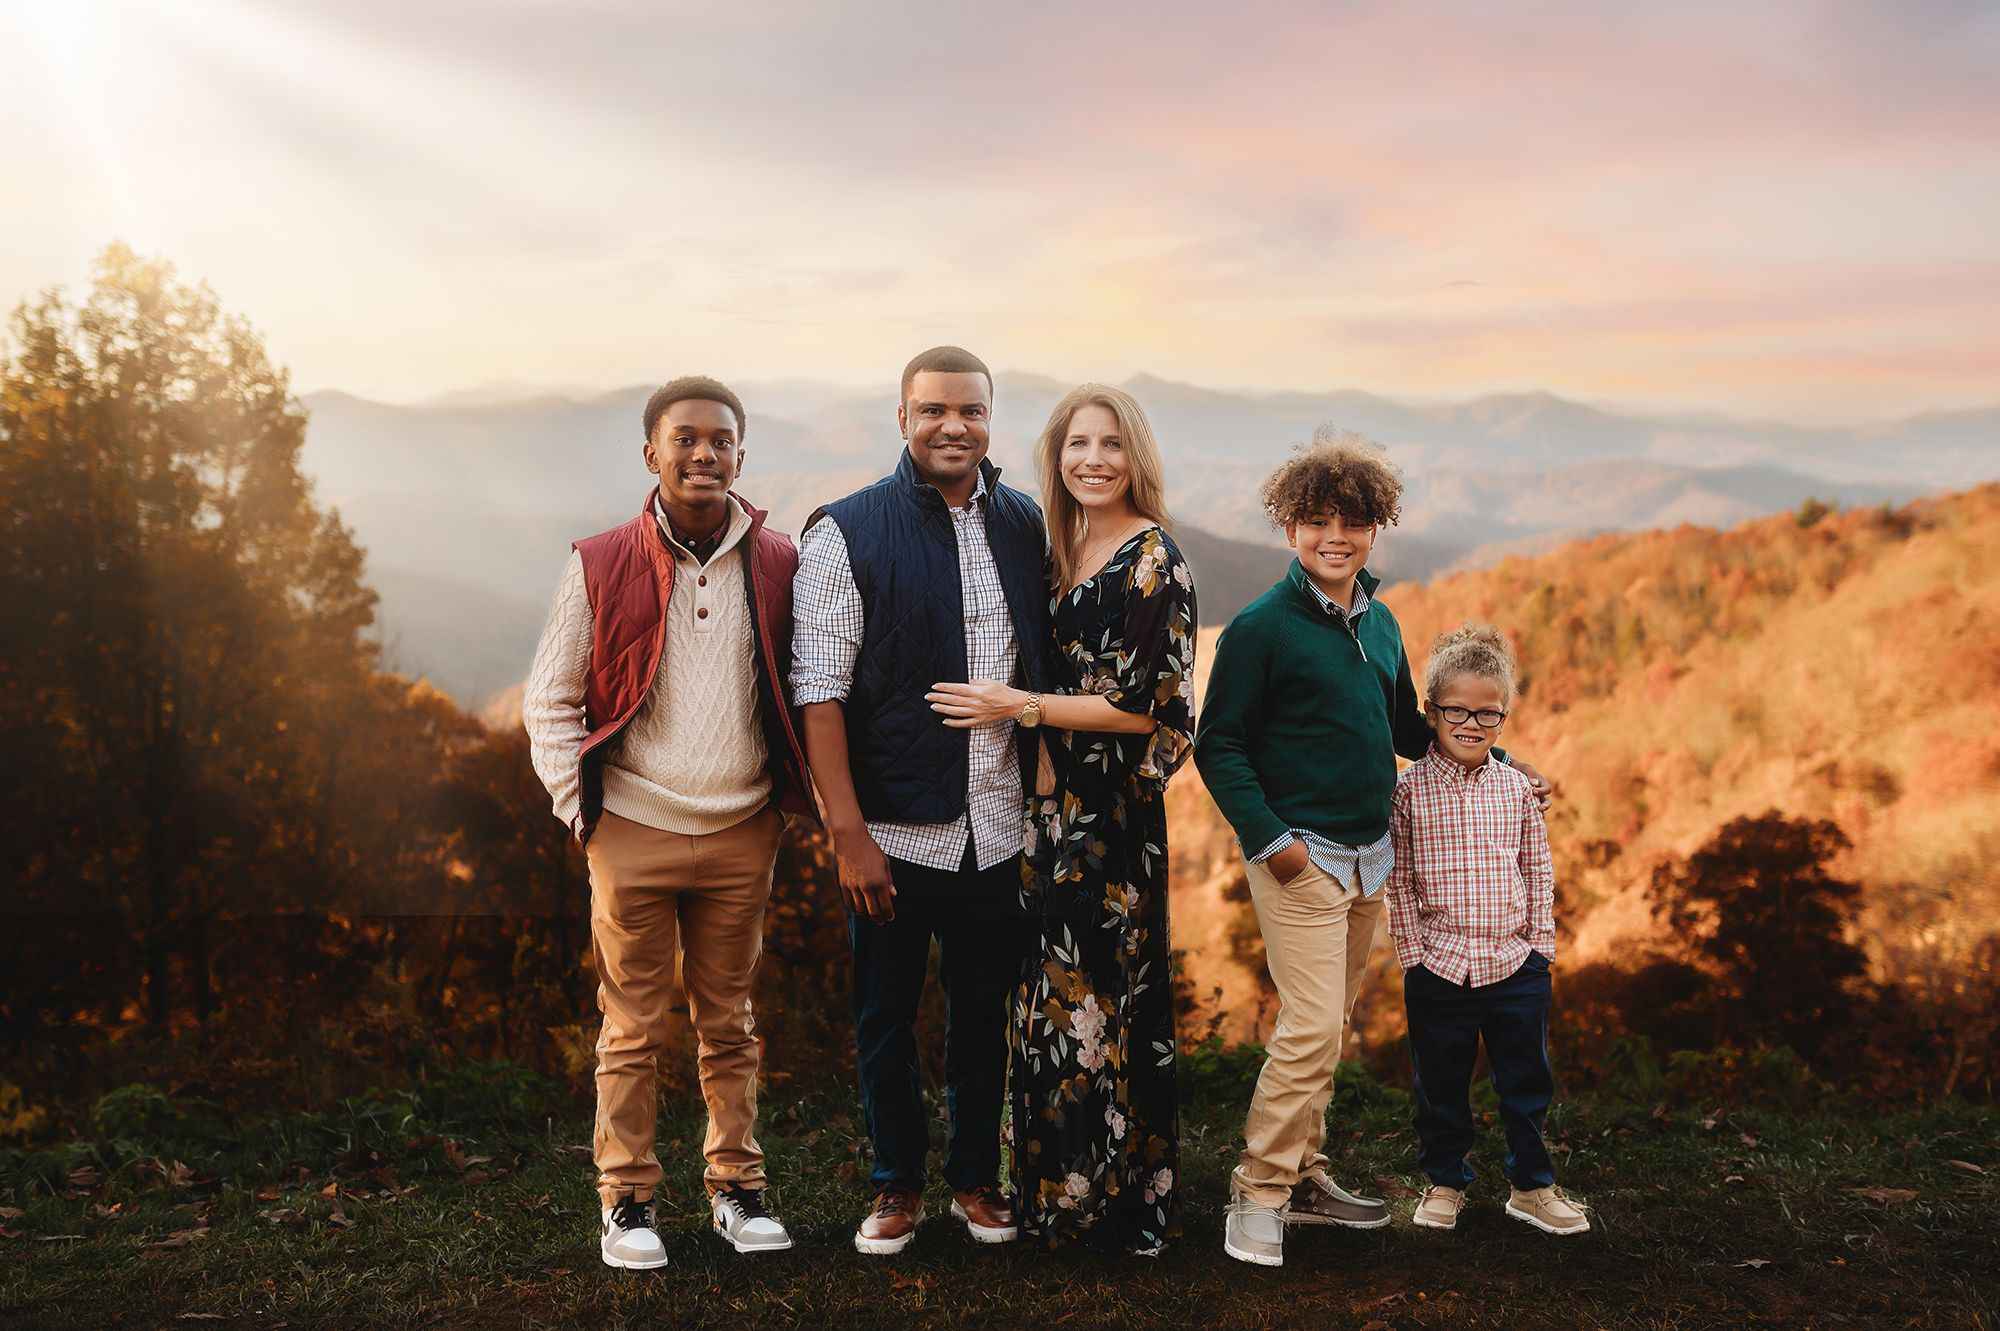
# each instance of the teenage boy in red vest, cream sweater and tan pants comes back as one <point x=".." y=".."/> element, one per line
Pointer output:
<point x="659" y="724"/>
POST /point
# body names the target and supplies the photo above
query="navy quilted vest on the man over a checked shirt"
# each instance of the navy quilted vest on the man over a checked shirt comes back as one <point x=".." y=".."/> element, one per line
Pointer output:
<point x="909" y="766"/>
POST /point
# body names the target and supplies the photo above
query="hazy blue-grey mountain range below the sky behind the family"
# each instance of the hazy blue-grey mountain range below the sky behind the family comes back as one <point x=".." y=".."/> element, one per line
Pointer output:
<point x="467" y="505"/>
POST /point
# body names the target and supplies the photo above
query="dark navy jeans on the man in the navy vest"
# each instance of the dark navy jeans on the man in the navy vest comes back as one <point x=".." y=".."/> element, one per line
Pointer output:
<point x="981" y="952"/>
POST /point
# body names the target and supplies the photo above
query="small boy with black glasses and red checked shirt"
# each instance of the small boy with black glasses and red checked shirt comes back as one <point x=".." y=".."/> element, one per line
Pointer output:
<point x="1473" y="906"/>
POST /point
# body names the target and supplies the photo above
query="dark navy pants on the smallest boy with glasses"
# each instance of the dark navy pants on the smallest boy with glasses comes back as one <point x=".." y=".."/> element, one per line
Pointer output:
<point x="1447" y="1024"/>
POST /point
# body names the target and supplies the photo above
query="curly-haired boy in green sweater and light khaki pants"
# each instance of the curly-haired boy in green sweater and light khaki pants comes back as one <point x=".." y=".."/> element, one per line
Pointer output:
<point x="1309" y="704"/>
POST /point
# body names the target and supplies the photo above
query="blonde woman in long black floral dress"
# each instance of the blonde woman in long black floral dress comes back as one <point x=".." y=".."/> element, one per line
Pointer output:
<point x="1095" y="1124"/>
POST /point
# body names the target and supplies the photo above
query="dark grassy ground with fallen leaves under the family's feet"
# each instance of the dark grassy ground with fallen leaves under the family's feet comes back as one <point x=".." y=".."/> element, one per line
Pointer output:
<point x="1747" y="1222"/>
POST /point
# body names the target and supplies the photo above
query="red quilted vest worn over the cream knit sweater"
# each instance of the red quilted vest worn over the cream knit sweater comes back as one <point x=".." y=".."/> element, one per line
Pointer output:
<point x="629" y="575"/>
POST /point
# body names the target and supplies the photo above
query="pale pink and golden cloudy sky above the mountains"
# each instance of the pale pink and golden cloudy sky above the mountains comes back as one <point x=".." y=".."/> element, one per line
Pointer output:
<point x="1751" y="207"/>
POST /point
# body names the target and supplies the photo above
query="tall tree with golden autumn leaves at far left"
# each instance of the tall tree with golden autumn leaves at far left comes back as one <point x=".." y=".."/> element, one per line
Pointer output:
<point x="183" y="623"/>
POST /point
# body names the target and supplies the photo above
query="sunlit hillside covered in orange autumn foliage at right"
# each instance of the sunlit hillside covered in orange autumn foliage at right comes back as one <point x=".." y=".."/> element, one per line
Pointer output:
<point x="1845" y="668"/>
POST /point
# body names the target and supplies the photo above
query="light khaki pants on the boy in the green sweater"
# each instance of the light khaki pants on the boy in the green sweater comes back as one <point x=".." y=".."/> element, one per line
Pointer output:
<point x="1317" y="938"/>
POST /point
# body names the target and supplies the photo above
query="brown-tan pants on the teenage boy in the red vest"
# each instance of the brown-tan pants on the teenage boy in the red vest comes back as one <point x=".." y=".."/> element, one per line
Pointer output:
<point x="655" y="894"/>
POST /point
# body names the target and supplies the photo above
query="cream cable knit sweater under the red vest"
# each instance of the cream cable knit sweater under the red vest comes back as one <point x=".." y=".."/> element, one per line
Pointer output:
<point x="693" y="758"/>
